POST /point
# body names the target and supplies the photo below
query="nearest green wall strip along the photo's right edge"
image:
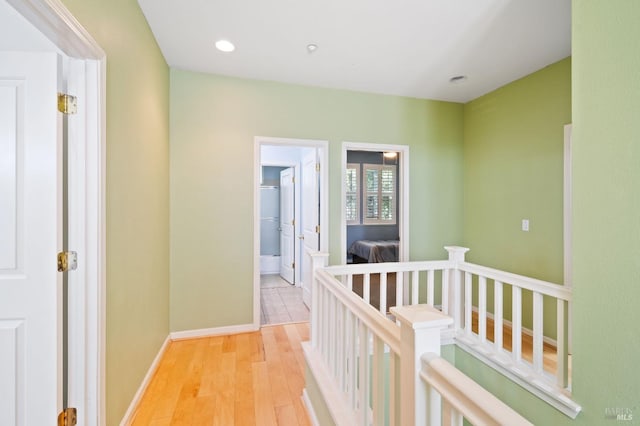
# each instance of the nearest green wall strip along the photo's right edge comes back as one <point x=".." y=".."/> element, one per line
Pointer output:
<point x="606" y="206"/>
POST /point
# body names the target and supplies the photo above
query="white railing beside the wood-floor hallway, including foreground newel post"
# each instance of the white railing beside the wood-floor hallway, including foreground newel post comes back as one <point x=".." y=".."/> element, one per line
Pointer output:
<point x="369" y="368"/>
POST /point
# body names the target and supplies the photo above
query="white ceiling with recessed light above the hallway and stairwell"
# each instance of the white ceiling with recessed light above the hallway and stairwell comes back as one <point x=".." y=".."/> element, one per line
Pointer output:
<point x="402" y="47"/>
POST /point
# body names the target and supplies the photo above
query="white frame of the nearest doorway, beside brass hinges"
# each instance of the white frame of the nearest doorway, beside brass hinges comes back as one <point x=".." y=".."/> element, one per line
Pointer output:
<point x="87" y="78"/>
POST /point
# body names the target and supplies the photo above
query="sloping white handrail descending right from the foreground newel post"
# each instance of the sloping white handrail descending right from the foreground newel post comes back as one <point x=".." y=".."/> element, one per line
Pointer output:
<point x="466" y="397"/>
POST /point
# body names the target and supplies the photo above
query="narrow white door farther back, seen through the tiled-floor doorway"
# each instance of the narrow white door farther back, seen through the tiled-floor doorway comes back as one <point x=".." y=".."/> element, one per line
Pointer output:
<point x="287" y="225"/>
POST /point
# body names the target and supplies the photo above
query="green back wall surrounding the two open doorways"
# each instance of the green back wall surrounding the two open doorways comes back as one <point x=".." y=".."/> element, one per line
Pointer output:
<point x="214" y="121"/>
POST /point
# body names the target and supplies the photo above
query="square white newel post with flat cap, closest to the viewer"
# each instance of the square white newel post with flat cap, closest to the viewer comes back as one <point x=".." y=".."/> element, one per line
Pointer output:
<point x="420" y="328"/>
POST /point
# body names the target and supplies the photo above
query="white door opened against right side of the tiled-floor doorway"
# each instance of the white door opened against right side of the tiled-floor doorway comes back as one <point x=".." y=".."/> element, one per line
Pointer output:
<point x="310" y="218"/>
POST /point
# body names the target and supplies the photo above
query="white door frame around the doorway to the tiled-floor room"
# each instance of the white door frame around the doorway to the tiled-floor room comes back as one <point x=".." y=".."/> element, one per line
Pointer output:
<point x="323" y="154"/>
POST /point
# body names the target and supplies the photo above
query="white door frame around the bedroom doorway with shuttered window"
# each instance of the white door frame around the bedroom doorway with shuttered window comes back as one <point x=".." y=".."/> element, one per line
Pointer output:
<point x="403" y="180"/>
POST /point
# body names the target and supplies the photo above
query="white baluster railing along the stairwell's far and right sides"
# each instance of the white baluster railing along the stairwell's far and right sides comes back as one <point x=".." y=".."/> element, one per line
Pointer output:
<point x="460" y="290"/>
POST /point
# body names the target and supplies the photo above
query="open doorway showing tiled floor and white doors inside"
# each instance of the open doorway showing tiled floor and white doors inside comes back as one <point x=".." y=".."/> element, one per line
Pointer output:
<point x="290" y="220"/>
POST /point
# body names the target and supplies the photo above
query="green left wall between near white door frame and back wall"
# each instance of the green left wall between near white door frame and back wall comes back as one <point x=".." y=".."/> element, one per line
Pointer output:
<point x="137" y="197"/>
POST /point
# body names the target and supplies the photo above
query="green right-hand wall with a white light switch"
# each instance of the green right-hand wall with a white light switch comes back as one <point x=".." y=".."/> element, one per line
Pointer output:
<point x="513" y="170"/>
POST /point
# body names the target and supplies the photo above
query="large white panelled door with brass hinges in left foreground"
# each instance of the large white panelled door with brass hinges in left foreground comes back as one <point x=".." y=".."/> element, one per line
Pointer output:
<point x="30" y="235"/>
